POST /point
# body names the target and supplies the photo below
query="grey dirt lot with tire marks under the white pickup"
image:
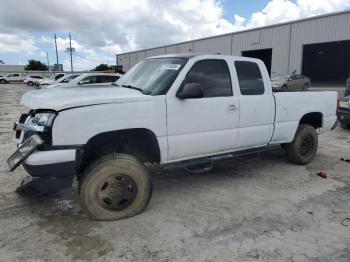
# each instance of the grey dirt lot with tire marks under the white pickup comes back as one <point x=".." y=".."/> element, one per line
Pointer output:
<point x="265" y="209"/>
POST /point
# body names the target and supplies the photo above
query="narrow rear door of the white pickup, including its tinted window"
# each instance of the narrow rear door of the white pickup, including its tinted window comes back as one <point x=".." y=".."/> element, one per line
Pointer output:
<point x="256" y="105"/>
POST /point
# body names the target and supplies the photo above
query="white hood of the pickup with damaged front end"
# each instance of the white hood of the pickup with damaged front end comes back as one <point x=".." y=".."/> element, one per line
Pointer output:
<point x="67" y="97"/>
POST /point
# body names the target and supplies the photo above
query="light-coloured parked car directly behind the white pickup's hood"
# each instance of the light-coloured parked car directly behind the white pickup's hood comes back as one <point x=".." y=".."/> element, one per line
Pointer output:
<point x="89" y="79"/>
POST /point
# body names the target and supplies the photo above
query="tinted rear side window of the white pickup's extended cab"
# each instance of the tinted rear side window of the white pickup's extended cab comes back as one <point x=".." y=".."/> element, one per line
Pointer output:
<point x="249" y="78"/>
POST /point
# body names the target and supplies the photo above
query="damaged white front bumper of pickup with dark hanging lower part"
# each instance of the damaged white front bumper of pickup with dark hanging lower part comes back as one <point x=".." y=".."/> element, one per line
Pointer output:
<point x="50" y="171"/>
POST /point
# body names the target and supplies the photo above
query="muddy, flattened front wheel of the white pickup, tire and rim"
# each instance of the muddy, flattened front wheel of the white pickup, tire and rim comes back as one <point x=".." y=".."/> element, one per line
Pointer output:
<point x="115" y="186"/>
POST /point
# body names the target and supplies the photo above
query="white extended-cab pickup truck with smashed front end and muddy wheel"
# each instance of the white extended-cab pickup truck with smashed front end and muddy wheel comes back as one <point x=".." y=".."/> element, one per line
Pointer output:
<point x="172" y="110"/>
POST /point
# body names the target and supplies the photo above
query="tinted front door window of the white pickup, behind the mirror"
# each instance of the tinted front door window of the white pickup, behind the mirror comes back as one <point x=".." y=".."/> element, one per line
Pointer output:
<point x="213" y="75"/>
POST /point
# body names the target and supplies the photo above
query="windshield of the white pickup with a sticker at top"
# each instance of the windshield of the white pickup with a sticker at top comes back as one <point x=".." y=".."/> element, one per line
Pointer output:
<point x="153" y="76"/>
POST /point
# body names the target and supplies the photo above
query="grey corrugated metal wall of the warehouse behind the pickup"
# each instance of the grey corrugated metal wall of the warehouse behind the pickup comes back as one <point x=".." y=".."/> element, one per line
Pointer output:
<point x="286" y="41"/>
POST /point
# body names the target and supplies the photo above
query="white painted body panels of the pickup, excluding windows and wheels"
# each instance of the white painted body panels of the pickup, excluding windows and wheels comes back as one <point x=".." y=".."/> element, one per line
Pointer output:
<point x="188" y="128"/>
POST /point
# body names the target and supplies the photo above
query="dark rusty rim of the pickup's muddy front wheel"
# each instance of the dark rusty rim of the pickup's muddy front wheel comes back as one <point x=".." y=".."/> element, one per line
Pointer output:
<point x="117" y="192"/>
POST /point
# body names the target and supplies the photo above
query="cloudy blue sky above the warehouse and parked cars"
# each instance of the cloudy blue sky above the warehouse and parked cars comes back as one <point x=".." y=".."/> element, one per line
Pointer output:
<point x="27" y="27"/>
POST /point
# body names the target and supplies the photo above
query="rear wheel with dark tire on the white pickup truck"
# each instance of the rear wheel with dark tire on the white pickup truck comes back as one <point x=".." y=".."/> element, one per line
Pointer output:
<point x="304" y="146"/>
